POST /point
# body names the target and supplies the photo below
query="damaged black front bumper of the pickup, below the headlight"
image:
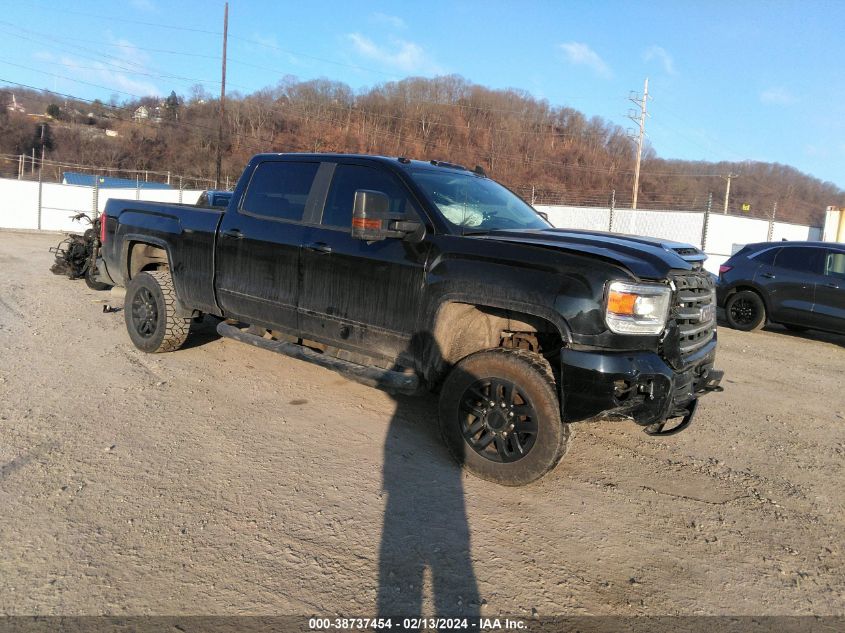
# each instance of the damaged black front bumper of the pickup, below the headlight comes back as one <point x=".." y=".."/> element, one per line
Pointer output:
<point x="639" y="386"/>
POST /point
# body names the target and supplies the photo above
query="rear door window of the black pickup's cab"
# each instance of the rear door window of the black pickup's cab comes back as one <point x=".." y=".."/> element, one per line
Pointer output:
<point x="279" y="190"/>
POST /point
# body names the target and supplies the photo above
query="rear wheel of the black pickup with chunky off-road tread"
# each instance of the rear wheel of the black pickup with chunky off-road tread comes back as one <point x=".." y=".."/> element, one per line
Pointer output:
<point x="167" y="332"/>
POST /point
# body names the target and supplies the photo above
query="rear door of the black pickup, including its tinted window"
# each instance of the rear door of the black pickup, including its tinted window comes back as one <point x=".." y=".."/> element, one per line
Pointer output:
<point x="259" y="243"/>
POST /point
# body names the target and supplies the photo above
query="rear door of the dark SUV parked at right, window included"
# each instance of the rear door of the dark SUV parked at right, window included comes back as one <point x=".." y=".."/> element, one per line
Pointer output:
<point x="791" y="284"/>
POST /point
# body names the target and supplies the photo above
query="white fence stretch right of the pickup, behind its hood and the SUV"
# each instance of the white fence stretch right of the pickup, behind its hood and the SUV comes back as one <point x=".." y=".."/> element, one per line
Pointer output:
<point x="724" y="236"/>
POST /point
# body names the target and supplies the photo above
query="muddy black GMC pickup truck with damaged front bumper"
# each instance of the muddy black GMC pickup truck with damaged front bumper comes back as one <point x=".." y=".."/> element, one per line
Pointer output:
<point x="410" y="276"/>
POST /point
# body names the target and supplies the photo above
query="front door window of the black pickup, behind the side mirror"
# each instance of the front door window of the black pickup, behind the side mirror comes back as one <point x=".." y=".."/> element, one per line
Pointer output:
<point x="348" y="179"/>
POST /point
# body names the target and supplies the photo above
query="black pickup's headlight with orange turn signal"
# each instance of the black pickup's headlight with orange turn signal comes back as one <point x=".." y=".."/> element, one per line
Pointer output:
<point x="637" y="308"/>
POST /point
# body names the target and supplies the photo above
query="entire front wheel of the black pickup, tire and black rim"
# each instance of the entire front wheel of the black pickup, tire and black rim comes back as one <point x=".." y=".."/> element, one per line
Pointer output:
<point x="500" y="416"/>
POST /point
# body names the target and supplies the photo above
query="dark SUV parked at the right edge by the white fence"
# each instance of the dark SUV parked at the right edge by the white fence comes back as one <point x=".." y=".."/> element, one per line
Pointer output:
<point x="798" y="284"/>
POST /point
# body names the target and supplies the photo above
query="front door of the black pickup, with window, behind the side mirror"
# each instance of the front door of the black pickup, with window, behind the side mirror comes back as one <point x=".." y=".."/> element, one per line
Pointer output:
<point x="359" y="295"/>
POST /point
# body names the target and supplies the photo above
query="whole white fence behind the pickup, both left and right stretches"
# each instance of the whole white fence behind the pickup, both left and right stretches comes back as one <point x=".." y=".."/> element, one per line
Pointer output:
<point x="49" y="207"/>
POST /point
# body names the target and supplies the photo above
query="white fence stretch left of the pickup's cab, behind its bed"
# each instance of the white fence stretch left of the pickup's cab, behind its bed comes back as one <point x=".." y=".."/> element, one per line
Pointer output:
<point x="49" y="206"/>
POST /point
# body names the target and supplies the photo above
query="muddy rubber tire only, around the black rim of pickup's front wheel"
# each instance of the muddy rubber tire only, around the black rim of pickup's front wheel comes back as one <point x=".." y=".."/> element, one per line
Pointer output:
<point x="532" y="375"/>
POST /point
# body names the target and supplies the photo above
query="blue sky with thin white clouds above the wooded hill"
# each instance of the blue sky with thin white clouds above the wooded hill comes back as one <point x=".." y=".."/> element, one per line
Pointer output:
<point x="741" y="80"/>
